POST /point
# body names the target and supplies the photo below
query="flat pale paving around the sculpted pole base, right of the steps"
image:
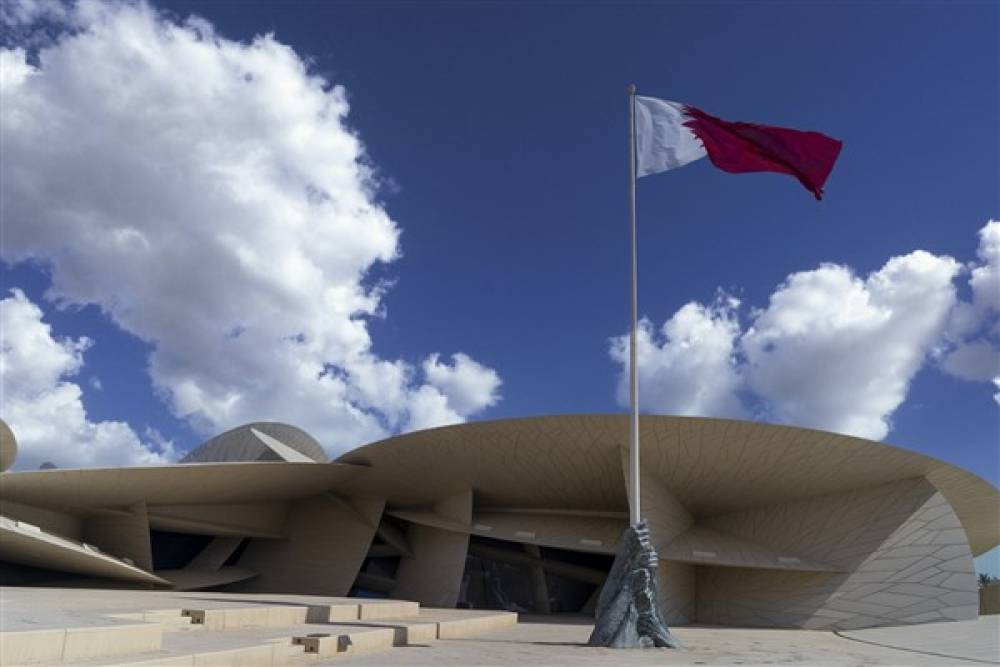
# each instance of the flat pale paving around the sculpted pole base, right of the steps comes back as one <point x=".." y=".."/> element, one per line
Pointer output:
<point x="560" y="642"/>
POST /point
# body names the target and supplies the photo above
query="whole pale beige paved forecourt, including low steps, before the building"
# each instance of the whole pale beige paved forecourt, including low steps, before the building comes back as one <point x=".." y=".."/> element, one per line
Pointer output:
<point x="418" y="637"/>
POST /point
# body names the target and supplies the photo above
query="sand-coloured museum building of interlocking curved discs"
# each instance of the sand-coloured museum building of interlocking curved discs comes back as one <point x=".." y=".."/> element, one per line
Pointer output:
<point x="755" y="524"/>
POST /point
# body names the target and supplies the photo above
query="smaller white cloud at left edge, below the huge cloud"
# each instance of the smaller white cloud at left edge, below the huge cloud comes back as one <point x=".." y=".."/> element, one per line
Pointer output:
<point x="45" y="410"/>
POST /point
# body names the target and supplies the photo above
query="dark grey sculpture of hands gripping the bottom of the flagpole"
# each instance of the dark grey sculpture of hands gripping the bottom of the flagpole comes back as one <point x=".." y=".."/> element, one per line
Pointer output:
<point x="628" y="615"/>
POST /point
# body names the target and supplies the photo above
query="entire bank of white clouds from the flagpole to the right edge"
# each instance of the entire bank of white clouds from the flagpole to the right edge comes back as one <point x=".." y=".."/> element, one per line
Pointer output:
<point x="831" y="350"/>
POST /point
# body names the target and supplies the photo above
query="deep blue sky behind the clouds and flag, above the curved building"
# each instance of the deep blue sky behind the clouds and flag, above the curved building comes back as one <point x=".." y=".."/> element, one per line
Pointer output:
<point x="497" y="135"/>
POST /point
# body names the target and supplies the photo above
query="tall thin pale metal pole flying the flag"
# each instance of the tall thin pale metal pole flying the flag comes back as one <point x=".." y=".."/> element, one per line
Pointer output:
<point x="635" y="515"/>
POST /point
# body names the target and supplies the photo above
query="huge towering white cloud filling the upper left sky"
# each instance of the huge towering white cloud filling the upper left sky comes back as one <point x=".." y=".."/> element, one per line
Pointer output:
<point x="210" y="197"/>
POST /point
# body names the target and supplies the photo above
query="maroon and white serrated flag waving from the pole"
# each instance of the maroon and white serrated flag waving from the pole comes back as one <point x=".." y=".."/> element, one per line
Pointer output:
<point x="670" y="135"/>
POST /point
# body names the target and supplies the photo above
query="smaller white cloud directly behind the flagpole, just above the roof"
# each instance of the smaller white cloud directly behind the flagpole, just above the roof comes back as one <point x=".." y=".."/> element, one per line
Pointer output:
<point x="690" y="367"/>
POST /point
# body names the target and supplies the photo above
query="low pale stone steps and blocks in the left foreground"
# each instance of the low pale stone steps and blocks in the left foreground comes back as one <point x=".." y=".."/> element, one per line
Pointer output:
<point x="265" y="635"/>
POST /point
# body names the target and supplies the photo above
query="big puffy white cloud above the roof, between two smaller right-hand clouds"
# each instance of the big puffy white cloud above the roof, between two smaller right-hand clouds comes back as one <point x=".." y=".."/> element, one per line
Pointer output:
<point x="835" y="352"/>
